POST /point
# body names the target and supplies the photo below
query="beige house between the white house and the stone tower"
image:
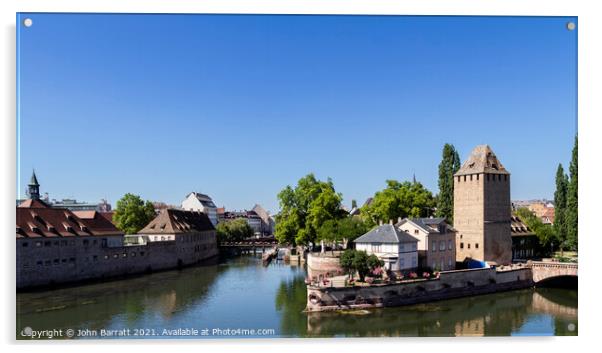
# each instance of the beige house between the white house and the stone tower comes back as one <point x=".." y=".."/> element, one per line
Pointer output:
<point x="436" y="242"/>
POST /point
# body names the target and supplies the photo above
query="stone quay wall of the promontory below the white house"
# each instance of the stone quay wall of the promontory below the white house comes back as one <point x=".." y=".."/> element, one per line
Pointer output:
<point x="450" y="284"/>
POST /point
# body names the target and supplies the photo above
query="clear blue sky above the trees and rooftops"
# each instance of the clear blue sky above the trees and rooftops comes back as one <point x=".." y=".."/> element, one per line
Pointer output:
<point x="239" y="106"/>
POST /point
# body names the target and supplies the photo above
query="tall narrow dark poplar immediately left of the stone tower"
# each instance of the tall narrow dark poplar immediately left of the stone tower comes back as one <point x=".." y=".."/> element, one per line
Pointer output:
<point x="450" y="164"/>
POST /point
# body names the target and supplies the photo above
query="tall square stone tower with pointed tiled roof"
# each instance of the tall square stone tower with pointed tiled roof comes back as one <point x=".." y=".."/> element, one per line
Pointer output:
<point x="482" y="209"/>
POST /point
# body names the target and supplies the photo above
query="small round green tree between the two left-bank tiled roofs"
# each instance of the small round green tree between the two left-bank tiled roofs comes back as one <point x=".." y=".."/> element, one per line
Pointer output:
<point x="133" y="214"/>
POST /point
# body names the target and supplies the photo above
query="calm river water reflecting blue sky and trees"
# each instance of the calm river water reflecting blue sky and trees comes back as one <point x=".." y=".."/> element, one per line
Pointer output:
<point x="238" y="297"/>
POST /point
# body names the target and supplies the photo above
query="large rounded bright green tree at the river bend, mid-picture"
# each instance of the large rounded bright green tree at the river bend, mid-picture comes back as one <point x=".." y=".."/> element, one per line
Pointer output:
<point x="305" y="208"/>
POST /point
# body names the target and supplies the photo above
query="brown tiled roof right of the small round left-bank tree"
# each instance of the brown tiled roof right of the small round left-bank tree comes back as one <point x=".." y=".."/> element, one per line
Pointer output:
<point x="172" y="221"/>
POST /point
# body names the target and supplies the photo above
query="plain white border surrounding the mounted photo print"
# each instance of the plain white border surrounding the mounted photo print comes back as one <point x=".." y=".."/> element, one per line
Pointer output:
<point x="590" y="25"/>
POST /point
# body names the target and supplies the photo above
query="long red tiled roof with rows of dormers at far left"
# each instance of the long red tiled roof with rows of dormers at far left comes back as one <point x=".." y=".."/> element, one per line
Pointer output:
<point x="35" y="220"/>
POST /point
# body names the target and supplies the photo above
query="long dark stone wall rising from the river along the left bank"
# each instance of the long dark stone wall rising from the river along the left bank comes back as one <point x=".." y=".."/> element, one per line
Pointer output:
<point x="45" y="262"/>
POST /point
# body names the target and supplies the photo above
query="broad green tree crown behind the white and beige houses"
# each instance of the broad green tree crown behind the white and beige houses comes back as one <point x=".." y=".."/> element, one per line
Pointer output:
<point x="399" y="200"/>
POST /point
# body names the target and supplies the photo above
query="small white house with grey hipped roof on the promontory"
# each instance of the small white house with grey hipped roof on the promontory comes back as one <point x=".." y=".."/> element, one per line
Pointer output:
<point x="396" y="248"/>
